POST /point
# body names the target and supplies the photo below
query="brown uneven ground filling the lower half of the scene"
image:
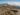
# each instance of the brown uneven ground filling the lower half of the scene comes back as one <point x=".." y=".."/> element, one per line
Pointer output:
<point x="3" y="11"/>
